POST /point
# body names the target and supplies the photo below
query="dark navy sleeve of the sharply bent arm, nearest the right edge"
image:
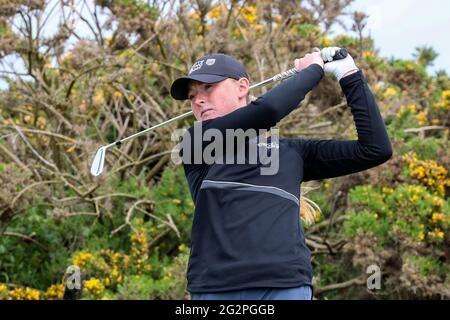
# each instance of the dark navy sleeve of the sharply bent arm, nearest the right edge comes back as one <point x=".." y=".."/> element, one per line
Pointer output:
<point x="332" y="158"/>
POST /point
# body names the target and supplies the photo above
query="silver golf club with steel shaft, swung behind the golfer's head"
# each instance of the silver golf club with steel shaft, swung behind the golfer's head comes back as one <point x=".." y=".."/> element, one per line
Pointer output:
<point x="99" y="159"/>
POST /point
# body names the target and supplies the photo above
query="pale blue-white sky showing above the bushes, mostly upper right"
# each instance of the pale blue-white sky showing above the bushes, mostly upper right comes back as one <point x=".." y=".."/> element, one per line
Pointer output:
<point x="399" y="26"/>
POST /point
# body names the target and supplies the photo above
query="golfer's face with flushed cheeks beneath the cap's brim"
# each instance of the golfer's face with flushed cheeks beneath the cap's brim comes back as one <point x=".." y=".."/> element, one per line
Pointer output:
<point x="209" y="101"/>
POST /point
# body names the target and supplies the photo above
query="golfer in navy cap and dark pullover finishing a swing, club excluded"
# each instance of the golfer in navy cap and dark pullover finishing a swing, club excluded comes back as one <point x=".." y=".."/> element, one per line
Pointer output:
<point x="247" y="238"/>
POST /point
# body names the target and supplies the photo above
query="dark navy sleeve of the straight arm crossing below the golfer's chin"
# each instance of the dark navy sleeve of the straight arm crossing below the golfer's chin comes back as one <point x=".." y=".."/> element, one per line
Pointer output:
<point x="263" y="113"/>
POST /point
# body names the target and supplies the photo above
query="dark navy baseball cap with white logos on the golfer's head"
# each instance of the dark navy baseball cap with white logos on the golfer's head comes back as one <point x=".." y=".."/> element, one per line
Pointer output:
<point x="211" y="68"/>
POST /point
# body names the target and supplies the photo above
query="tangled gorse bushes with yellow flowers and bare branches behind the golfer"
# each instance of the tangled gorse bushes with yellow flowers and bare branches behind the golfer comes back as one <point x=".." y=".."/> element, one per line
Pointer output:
<point x="128" y="230"/>
